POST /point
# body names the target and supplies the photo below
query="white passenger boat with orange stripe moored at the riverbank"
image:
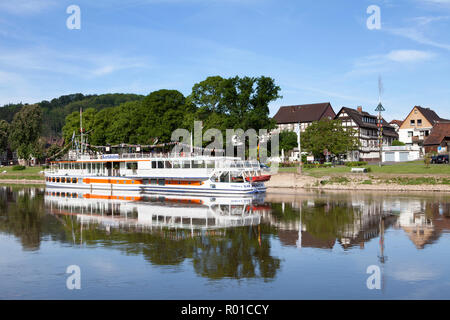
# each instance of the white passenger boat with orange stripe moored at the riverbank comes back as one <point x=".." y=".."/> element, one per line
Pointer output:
<point x="156" y="173"/>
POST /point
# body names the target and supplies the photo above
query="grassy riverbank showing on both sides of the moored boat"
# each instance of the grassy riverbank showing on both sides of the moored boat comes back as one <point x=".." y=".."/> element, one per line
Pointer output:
<point x="411" y="176"/>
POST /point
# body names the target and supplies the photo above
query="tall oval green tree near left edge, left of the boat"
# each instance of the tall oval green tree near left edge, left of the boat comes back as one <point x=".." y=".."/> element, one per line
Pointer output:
<point x="25" y="131"/>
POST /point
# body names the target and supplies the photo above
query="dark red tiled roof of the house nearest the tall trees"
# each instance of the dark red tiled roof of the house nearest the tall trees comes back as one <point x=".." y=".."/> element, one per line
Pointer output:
<point x="301" y="113"/>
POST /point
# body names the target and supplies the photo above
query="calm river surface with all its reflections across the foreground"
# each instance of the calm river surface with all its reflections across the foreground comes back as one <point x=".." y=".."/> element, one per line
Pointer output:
<point x="277" y="246"/>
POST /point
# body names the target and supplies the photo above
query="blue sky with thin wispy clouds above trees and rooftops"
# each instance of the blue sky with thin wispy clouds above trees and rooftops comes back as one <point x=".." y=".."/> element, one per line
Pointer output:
<point x="317" y="51"/>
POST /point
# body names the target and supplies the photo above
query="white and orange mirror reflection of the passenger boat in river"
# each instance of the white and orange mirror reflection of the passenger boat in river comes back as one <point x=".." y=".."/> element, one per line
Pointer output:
<point x="134" y="210"/>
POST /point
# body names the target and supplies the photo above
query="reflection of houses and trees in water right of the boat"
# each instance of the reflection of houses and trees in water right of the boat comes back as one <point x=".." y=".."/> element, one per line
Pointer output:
<point x="352" y="219"/>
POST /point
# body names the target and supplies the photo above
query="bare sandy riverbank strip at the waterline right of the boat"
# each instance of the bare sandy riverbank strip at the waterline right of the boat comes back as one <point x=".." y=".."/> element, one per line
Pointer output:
<point x="367" y="182"/>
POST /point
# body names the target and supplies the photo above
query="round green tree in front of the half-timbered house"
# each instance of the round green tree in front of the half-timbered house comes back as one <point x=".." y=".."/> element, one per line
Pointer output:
<point x="329" y="135"/>
